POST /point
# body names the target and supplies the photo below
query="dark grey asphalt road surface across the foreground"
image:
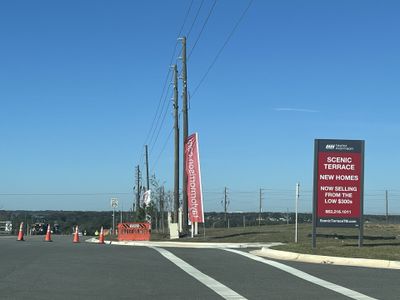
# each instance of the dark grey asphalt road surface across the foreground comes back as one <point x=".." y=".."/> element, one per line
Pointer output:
<point x="34" y="269"/>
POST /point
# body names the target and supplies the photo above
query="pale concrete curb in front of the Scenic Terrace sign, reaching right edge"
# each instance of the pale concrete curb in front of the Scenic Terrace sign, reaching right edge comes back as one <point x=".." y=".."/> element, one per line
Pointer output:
<point x="319" y="259"/>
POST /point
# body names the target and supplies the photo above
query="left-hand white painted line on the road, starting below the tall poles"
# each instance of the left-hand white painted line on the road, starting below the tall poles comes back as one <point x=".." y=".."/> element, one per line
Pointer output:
<point x="211" y="283"/>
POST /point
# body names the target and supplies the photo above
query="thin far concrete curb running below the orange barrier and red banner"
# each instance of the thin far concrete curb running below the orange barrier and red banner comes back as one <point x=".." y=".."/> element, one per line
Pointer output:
<point x="197" y="245"/>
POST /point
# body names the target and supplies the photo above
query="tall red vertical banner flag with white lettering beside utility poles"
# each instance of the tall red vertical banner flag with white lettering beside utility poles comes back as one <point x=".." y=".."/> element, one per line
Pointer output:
<point x="194" y="190"/>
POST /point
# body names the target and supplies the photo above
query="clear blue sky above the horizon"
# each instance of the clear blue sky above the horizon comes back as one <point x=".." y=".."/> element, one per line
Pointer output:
<point x="80" y="82"/>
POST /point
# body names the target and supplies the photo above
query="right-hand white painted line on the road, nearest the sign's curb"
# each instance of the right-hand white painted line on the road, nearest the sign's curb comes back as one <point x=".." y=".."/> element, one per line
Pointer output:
<point x="305" y="276"/>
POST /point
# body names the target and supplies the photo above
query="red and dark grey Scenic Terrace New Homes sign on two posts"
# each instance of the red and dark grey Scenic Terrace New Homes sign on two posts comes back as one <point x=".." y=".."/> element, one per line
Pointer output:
<point x="338" y="185"/>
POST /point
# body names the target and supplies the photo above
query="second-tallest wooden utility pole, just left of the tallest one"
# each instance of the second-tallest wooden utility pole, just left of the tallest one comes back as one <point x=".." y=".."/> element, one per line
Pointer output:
<point x="176" y="159"/>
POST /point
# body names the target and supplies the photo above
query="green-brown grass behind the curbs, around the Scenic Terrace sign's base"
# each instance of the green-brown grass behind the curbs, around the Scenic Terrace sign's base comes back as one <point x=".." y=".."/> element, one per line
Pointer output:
<point x="380" y="241"/>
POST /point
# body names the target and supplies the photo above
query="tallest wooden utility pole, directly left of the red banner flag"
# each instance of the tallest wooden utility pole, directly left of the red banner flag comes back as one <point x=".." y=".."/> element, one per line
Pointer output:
<point x="185" y="135"/>
